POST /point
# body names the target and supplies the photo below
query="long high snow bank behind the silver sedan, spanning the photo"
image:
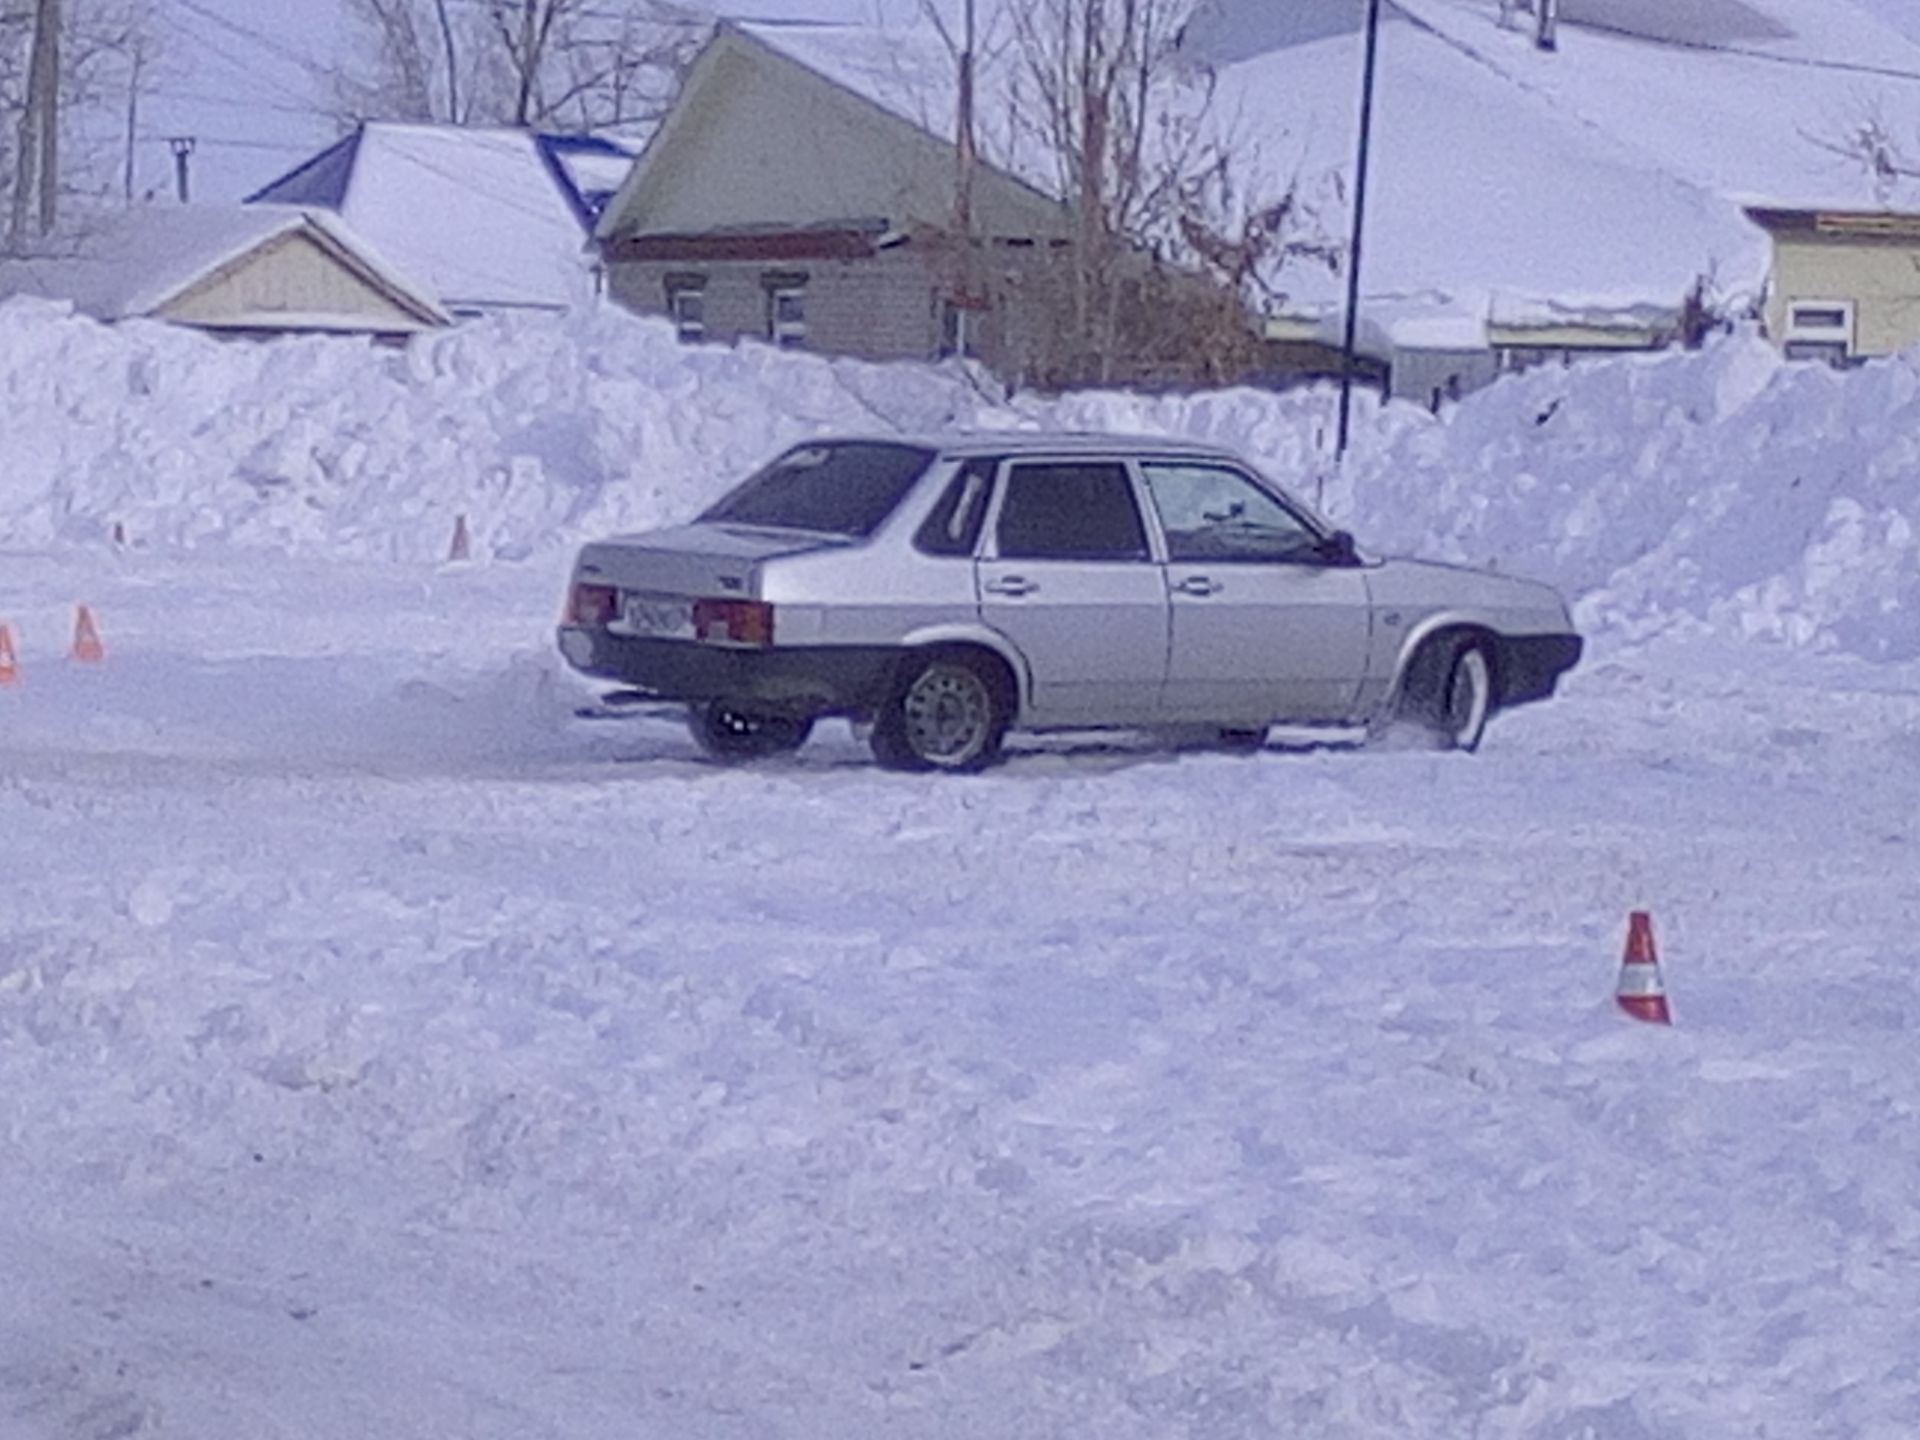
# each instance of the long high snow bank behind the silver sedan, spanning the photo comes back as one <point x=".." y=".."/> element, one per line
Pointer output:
<point x="1721" y="489"/>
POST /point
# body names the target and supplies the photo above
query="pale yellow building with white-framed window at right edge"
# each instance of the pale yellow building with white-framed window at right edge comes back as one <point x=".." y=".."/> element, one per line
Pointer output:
<point x="1846" y="283"/>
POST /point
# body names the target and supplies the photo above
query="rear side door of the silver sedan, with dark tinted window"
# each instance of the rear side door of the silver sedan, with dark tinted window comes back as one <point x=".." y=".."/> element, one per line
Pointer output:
<point x="1068" y="577"/>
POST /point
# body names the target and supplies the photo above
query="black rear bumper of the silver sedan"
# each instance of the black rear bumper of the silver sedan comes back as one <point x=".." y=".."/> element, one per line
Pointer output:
<point x="790" y="681"/>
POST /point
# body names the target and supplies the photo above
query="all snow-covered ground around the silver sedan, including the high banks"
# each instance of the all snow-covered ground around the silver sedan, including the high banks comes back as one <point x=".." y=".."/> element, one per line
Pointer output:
<point x="387" y="1051"/>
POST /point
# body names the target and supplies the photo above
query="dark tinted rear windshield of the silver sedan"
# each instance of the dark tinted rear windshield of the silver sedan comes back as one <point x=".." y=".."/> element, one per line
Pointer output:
<point x="840" y="489"/>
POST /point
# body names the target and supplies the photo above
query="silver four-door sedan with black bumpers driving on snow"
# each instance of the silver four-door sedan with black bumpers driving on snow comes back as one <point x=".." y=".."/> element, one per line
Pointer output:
<point x="948" y="590"/>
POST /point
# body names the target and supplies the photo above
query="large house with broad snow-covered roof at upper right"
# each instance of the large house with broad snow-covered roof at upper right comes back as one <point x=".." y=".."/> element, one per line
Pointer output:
<point x="1535" y="201"/>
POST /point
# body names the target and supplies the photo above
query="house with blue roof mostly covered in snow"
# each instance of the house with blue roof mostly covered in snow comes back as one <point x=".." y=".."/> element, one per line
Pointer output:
<point x="492" y="220"/>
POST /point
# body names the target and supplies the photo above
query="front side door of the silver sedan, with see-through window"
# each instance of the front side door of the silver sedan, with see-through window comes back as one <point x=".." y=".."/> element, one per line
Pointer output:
<point x="1264" y="623"/>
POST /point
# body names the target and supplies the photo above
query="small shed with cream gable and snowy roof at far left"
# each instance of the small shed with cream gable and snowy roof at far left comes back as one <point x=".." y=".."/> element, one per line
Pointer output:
<point x="229" y="270"/>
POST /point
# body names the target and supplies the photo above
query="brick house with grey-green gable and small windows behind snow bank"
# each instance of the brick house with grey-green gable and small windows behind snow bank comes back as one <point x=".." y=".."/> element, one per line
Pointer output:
<point x="780" y="204"/>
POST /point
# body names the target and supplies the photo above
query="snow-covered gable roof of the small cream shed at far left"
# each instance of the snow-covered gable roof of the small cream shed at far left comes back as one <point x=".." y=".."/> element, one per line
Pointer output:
<point x="143" y="260"/>
